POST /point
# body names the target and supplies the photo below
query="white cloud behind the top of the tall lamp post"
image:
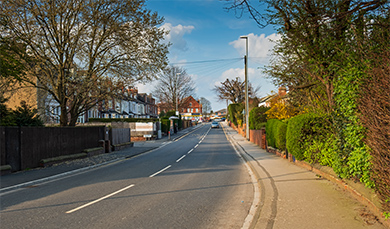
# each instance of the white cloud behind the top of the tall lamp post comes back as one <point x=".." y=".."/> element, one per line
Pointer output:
<point x="259" y="46"/>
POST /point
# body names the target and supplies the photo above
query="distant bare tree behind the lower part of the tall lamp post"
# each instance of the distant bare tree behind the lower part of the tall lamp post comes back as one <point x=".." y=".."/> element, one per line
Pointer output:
<point x="234" y="90"/>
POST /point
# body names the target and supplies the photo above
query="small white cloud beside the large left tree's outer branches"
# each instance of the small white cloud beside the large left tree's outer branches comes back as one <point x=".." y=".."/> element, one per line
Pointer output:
<point x="176" y="34"/>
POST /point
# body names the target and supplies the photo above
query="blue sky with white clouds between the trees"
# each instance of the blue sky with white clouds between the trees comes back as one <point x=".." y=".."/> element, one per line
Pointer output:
<point x="206" y="42"/>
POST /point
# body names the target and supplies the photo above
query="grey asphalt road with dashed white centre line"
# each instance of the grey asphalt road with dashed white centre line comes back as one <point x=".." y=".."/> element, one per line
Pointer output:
<point x="198" y="181"/>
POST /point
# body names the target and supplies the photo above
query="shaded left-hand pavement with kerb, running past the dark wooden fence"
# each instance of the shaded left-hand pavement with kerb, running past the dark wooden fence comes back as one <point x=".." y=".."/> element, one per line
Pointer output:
<point x="30" y="177"/>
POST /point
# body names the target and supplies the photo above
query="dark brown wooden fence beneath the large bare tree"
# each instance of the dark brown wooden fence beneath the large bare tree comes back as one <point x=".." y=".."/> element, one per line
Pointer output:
<point x="25" y="147"/>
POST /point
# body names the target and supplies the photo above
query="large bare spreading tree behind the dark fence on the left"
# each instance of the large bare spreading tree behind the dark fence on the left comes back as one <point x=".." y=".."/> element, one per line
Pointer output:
<point x="85" y="50"/>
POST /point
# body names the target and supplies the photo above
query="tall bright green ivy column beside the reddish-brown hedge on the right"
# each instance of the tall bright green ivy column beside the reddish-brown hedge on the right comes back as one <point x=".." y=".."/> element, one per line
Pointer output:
<point x="353" y="153"/>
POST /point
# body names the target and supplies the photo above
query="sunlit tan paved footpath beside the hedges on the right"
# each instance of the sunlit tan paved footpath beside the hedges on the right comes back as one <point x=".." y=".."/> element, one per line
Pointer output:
<point x="293" y="197"/>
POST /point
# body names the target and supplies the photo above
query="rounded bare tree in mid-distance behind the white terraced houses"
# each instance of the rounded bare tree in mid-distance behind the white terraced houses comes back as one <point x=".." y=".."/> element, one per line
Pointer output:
<point x="174" y="85"/>
